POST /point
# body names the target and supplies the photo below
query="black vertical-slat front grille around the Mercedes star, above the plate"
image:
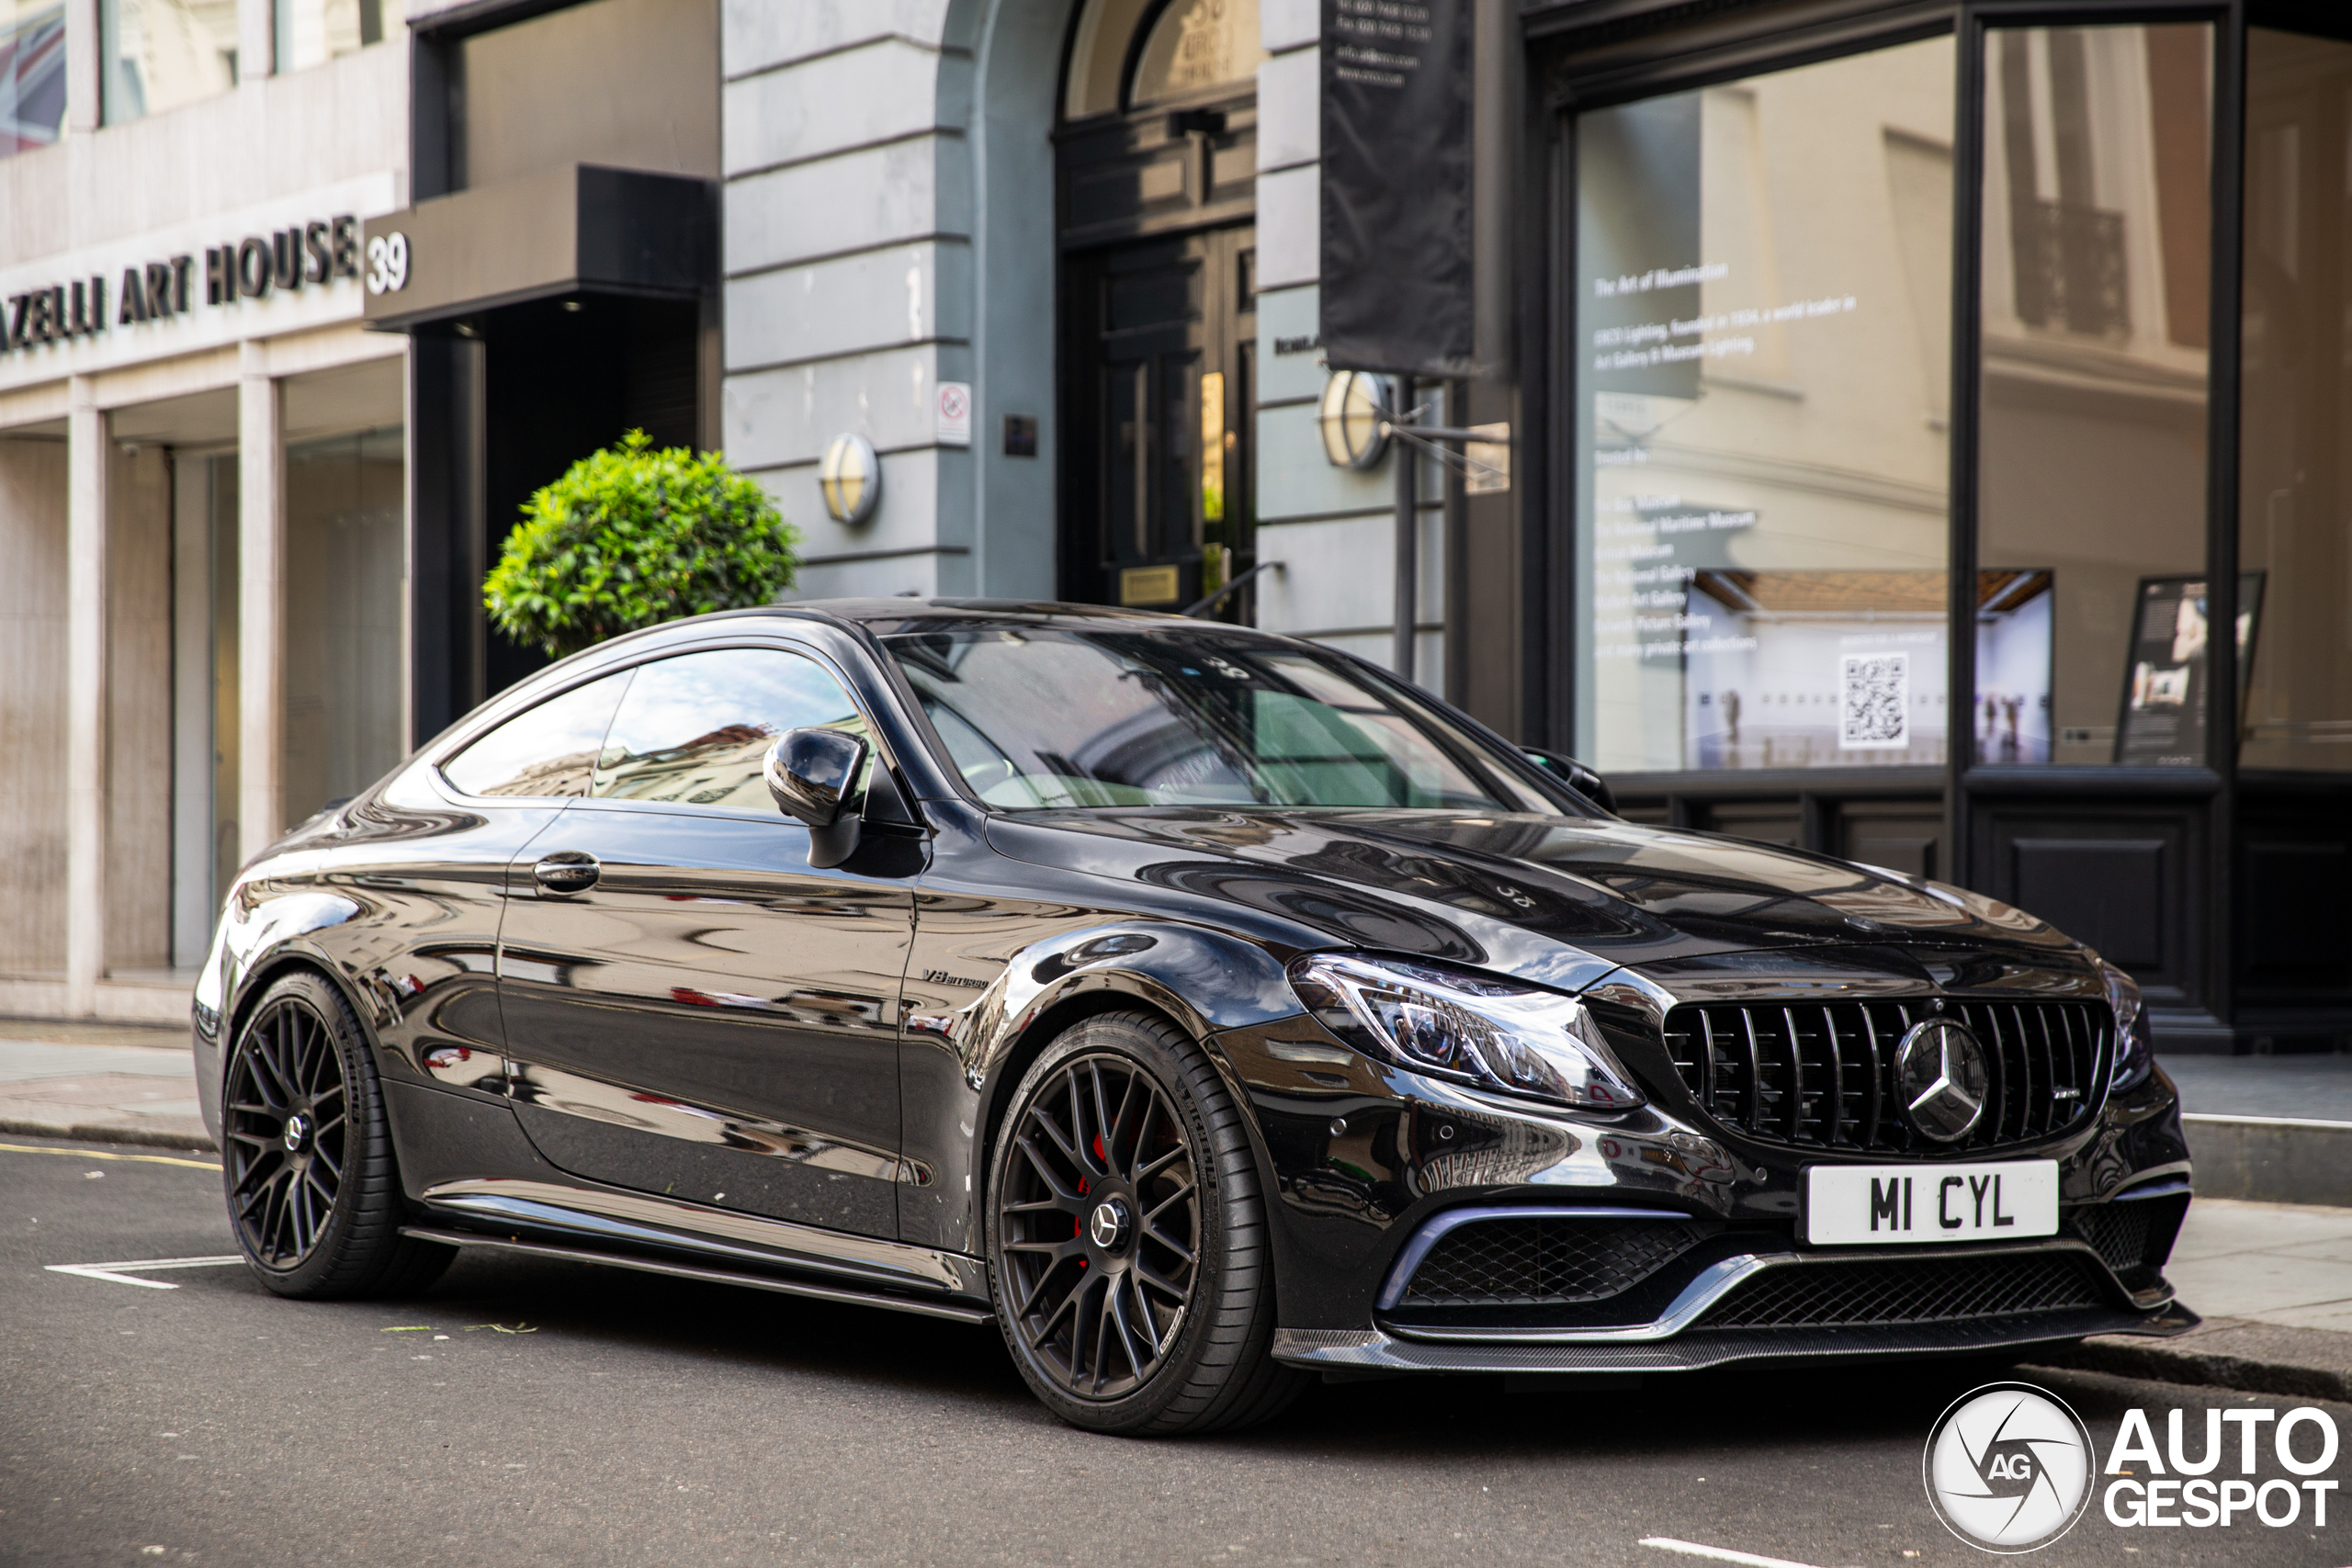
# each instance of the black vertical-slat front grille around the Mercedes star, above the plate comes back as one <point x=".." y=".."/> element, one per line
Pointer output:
<point x="1824" y="1073"/>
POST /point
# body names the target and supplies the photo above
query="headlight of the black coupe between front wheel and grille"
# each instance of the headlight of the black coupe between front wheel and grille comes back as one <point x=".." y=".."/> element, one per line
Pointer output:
<point x="1457" y="1024"/>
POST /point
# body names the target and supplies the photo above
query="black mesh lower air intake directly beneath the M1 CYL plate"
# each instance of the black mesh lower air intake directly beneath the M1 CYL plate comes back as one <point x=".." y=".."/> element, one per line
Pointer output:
<point x="1909" y="1292"/>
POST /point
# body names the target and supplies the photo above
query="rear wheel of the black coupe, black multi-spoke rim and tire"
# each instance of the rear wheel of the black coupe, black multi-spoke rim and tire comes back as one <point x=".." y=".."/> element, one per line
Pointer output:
<point x="307" y="1155"/>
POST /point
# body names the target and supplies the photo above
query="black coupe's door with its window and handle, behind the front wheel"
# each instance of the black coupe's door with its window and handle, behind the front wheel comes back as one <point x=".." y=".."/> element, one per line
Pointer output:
<point x="690" y="1007"/>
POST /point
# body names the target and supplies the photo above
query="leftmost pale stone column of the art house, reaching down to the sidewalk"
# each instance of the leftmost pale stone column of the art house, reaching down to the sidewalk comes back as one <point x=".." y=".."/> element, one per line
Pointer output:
<point x="86" y="699"/>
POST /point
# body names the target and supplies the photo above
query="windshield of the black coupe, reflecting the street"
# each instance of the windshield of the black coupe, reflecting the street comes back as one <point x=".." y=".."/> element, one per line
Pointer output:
<point x="1043" y="718"/>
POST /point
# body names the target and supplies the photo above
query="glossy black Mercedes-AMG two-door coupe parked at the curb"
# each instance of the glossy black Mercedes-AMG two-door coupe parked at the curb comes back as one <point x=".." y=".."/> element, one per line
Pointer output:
<point x="1205" y="1007"/>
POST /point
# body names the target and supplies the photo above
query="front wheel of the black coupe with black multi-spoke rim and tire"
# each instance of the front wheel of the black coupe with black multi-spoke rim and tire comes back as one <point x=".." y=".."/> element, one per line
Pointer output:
<point x="1154" y="1313"/>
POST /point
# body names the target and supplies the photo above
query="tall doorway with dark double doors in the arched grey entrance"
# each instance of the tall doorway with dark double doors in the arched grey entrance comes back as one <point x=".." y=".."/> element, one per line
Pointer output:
<point x="1158" y="307"/>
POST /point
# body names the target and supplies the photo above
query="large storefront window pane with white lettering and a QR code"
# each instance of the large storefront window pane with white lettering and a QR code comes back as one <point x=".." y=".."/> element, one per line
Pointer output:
<point x="1763" y="304"/>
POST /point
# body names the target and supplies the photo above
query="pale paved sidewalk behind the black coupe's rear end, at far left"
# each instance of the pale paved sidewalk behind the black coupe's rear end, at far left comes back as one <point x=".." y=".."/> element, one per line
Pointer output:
<point x="100" y="1080"/>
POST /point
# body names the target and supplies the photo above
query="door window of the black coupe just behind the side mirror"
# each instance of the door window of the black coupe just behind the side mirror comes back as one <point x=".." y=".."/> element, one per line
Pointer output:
<point x="695" y="730"/>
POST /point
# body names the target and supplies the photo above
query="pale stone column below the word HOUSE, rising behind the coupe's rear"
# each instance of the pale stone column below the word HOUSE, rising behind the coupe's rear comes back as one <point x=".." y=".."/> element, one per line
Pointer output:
<point x="260" y="605"/>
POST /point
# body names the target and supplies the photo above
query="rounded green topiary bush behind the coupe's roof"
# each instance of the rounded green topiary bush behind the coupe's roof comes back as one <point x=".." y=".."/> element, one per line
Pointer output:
<point x="634" y="537"/>
